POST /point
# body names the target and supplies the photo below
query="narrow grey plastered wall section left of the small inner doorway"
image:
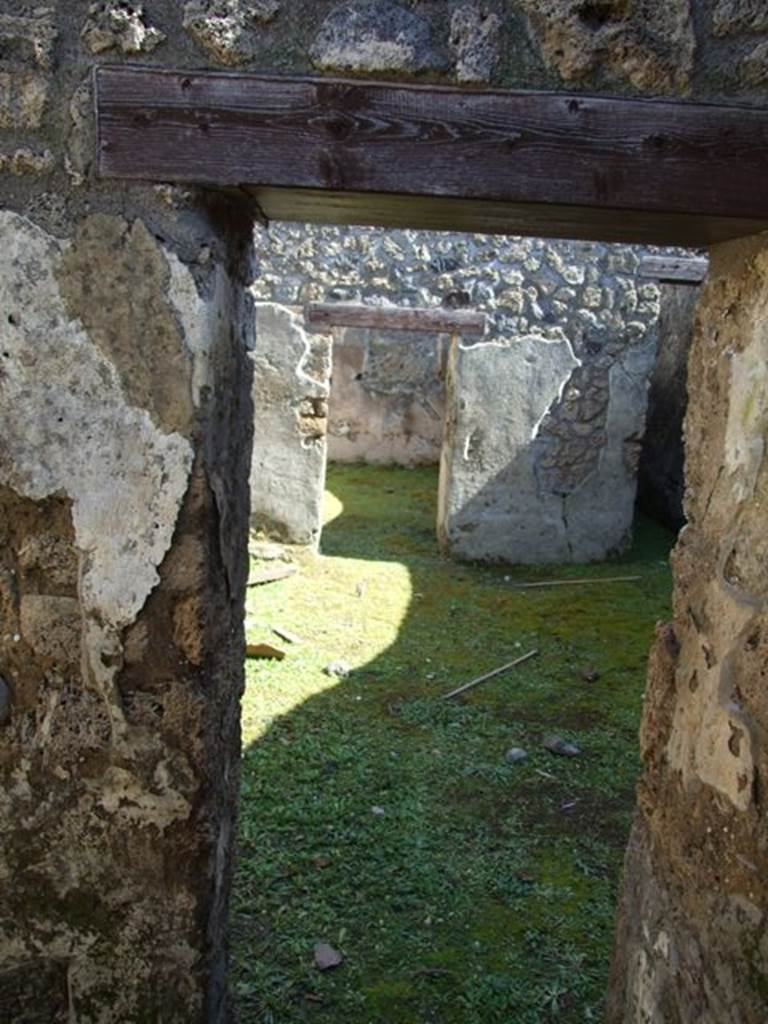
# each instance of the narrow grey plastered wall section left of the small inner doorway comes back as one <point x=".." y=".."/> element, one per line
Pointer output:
<point x="291" y="385"/>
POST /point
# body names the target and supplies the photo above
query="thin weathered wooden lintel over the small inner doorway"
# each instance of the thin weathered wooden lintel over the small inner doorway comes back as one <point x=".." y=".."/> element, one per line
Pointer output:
<point x="397" y="318"/>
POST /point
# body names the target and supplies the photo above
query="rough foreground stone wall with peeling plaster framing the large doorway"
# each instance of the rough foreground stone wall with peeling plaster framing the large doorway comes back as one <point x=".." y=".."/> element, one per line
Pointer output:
<point x="121" y="641"/>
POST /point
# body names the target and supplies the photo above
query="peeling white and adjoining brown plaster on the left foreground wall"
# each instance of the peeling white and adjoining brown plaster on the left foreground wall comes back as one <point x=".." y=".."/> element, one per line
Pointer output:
<point x="71" y="425"/>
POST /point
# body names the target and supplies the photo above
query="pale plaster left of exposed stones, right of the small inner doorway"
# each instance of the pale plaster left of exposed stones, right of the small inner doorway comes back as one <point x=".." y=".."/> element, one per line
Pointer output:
<point x="498" y="395"/>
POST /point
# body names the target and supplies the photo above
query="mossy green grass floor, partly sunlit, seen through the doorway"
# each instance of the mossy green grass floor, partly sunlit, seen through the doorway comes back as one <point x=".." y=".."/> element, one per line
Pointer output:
<point x="386" y="822"/>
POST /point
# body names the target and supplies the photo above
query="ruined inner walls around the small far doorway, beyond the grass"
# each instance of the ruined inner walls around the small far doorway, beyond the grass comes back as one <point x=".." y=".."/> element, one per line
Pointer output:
<point x="534" y="405"/>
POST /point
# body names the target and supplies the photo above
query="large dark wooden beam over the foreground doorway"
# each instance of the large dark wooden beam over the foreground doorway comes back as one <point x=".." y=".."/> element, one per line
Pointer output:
<point x="530" y="163"/>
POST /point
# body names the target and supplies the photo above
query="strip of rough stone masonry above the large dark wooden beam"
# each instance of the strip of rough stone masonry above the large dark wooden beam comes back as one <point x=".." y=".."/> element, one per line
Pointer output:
<point x="709" y="50"/>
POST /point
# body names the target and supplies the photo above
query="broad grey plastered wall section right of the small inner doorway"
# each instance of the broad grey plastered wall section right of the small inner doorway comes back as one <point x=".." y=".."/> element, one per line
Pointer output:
<point x="506" y="491"/>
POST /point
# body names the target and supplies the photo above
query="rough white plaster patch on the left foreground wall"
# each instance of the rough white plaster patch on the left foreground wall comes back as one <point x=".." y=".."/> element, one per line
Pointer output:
<point x="68" y="430"/>
